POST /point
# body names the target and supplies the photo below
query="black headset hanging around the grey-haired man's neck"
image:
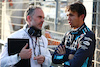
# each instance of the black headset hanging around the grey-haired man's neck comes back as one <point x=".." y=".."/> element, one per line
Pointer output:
<point x="34" y="32"/>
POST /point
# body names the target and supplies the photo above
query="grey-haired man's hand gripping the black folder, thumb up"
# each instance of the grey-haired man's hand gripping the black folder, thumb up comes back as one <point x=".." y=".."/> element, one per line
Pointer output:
<point x="25" y="53"/>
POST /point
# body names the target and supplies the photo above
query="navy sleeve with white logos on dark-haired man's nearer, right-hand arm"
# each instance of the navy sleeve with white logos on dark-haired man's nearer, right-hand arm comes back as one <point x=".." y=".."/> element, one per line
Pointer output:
<point x="84" y="52"/>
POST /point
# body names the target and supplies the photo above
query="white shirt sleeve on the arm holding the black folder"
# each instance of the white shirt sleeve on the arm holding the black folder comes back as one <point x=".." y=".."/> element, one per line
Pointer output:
<point x="6" y="60"/>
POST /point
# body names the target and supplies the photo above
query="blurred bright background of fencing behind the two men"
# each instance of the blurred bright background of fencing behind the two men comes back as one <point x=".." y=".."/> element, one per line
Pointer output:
<point x="55" y="25"/>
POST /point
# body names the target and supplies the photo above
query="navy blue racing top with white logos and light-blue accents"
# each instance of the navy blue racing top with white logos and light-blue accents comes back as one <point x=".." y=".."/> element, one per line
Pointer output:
<point x="81" y="43"/>
